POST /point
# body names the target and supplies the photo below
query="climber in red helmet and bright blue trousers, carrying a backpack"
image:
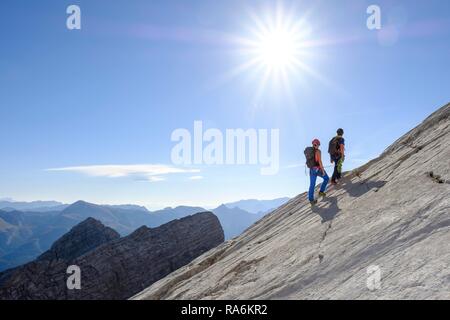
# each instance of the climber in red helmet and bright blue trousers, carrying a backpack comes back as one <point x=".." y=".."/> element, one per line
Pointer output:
<point x="314" y="163"/>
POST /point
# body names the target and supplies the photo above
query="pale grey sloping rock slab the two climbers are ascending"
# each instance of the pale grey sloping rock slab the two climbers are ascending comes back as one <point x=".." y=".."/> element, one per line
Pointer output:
<point x="384" y="233"/>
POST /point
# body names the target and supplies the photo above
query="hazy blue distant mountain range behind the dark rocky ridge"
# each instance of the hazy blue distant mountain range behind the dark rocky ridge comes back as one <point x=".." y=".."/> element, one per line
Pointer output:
<point x="27" y="233"/>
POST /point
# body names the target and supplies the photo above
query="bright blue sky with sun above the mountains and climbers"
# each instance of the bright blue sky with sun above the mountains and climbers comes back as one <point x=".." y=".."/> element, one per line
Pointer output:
<point x="89" y="114"/>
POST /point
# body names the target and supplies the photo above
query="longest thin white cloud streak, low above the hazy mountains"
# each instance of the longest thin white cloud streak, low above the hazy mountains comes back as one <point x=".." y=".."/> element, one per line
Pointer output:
<point x="150" y="172"/>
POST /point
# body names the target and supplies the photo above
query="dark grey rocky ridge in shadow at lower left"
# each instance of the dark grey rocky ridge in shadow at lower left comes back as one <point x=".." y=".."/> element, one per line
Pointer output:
<point x="118" y="268"/>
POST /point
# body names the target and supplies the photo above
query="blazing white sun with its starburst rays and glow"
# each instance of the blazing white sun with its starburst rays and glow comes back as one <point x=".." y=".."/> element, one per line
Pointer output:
<point x="276" y="50"/>
